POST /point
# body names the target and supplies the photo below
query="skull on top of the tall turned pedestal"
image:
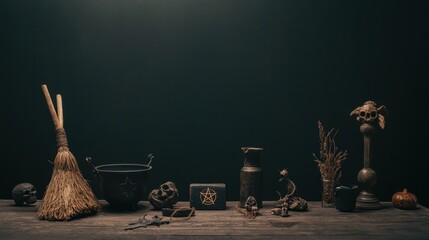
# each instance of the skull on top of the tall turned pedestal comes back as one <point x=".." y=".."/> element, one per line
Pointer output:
<point x="369" y="113"/>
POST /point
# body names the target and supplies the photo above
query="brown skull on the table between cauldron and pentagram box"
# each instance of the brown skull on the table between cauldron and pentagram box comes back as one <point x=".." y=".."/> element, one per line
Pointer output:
<point x="165" y="197"/>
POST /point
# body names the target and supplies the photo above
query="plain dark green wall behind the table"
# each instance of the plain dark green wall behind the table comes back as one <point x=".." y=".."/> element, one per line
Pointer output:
<point x="193" y="81"/>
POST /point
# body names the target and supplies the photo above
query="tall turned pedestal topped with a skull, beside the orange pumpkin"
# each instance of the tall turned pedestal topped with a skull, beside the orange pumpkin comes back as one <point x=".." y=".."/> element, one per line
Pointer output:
<point x="369" y="114"/>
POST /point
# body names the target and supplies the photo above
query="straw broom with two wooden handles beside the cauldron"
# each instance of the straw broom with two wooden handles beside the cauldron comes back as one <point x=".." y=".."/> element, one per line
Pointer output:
<point x="68" y="194"/>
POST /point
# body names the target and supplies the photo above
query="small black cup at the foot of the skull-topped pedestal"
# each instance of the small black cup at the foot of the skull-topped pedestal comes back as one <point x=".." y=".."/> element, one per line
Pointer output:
<point x="345" y="197"/>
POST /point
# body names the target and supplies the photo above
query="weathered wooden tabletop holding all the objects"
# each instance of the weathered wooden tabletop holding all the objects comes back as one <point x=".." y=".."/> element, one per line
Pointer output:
<point x="317" y="223"/>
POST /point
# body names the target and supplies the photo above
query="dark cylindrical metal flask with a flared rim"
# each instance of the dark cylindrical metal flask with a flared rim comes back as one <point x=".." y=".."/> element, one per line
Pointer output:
<point x="251" y="176"/>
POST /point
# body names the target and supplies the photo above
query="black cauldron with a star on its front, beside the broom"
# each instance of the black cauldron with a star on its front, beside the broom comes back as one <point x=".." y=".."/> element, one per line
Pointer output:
<point x="122" y="185"/>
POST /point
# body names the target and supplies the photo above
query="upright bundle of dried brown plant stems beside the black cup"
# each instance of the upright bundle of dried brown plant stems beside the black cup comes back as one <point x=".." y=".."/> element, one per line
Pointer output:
<point x="329" y="161"/>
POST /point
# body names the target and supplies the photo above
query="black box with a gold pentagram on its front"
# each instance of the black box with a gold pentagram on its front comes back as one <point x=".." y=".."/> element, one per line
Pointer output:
<point x="207" y="196"/>
